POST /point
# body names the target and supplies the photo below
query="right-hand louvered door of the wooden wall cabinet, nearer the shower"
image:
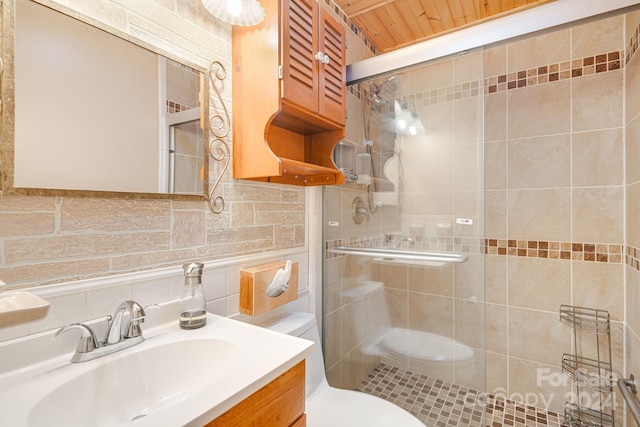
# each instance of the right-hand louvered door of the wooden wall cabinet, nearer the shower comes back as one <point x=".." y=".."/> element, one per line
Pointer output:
<point x="332" y="70"/>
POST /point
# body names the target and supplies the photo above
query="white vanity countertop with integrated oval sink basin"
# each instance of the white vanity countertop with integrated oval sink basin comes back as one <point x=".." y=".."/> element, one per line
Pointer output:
<point x="175" y="377"/>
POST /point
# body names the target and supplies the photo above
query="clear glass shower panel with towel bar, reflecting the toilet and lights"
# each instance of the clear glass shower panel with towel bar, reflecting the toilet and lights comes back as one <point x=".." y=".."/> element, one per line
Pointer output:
<point x="403" y="273"/>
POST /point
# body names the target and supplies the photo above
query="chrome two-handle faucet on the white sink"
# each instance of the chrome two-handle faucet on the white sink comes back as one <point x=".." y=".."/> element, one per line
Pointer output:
<point x="116" y="337"/>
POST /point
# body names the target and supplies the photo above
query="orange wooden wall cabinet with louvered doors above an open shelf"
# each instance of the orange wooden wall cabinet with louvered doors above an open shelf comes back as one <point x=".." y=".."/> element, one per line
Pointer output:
<point x="289" y="95"/>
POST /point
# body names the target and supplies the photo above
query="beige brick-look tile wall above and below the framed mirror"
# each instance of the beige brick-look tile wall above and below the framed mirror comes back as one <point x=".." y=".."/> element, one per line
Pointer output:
<point x="45" y="240"/>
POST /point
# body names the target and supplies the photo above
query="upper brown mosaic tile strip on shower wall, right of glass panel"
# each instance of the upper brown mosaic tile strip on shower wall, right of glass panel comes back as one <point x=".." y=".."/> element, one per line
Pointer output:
<point x="589" y="65"/>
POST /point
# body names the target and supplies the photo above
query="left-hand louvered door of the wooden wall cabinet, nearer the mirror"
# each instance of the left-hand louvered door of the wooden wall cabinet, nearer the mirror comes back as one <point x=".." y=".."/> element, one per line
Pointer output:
<point x="300" y="44"/>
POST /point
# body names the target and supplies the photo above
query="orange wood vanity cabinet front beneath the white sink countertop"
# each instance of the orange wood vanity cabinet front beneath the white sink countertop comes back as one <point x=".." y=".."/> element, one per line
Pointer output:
<point x="278" y="404"/>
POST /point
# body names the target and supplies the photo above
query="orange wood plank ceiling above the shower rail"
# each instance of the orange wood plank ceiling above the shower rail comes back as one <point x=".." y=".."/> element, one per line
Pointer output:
<point x="392" y="24"/>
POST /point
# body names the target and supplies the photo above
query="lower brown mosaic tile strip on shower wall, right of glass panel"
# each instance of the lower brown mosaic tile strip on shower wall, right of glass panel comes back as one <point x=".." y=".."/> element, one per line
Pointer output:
<point x="597" y="252"/>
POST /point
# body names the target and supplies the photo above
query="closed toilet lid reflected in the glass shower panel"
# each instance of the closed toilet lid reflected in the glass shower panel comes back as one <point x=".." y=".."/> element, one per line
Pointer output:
<point x="426" y="346"/>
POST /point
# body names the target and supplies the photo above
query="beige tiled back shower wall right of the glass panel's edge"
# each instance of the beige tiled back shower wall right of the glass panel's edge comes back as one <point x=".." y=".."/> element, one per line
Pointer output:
<point x="554" y="200"/>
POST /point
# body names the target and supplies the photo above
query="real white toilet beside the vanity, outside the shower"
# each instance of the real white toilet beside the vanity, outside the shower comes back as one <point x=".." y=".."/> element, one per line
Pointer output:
<point x="327" y="406"/>
